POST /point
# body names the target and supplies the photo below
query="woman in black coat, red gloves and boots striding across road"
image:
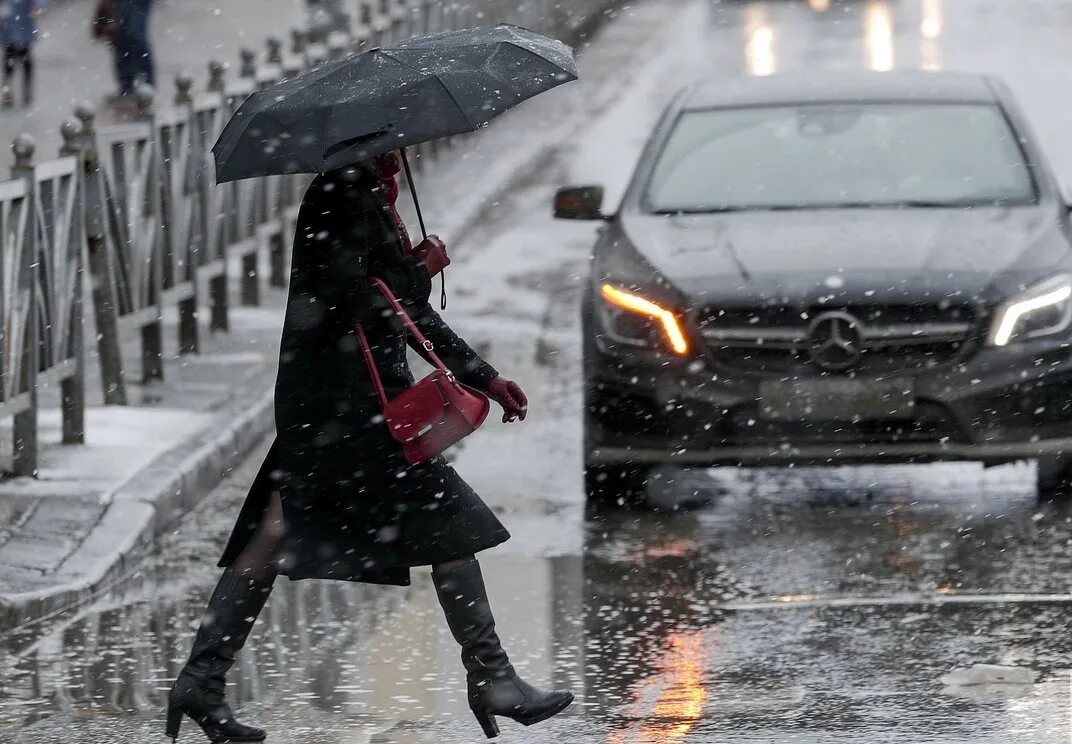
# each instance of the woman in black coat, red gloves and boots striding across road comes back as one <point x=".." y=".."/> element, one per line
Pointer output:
<point x="336" y="499"/>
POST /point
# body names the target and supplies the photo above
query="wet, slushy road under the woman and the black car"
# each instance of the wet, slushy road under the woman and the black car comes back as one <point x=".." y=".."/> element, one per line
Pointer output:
<point x="798" y="606"/>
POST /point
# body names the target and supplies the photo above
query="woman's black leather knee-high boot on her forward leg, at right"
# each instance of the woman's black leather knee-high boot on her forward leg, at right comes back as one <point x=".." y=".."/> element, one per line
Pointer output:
<point x="495" y="688"/>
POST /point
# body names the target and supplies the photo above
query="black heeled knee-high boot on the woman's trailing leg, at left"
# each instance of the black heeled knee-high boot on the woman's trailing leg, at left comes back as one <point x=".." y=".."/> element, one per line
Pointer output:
<point x="199" y="693"/>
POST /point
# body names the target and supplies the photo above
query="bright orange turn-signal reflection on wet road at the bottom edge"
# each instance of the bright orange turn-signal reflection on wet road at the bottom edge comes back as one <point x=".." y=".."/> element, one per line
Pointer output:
<point x="681" y="694"/>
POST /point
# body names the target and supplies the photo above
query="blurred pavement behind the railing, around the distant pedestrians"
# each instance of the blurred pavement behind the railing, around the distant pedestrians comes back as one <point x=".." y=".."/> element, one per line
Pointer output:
<point x="71" y="68"/>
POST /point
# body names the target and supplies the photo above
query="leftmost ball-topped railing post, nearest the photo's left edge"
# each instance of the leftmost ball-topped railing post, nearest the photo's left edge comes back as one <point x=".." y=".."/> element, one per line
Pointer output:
<point x="25" y="458"/>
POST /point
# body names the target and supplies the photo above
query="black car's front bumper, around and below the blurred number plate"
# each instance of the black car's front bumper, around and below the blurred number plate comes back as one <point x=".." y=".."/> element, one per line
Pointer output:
<point x="1003" y="405"/>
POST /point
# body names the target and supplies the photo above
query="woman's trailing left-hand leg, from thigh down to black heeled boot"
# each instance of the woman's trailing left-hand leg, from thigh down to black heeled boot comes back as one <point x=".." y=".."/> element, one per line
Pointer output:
<point x="233" y="609"/>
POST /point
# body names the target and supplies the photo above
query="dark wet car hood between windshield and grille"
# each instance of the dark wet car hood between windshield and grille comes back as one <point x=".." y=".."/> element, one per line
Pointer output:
<point x="846" y="256"/>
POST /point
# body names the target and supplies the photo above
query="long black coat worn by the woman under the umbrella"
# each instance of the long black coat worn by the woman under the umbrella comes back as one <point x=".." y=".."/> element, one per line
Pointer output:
<point x="353" y="508"/>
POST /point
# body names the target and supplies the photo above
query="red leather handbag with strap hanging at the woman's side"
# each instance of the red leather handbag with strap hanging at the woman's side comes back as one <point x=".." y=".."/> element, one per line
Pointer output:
<point x="438" y="411"/>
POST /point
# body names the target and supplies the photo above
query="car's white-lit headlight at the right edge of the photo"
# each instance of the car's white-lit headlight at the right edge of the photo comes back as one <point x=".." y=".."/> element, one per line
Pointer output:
<point x="1041" y="310"/>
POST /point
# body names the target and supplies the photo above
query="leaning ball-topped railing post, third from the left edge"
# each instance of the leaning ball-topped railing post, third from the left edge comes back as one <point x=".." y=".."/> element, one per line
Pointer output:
<point x="102" y="288"/>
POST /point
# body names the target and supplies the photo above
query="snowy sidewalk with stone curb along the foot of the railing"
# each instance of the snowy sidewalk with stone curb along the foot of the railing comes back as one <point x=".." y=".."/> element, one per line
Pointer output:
<point x="71" y="537"/>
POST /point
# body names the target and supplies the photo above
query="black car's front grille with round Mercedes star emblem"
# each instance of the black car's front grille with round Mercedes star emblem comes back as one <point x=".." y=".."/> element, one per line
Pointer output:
<point x="781" y="340"/>
